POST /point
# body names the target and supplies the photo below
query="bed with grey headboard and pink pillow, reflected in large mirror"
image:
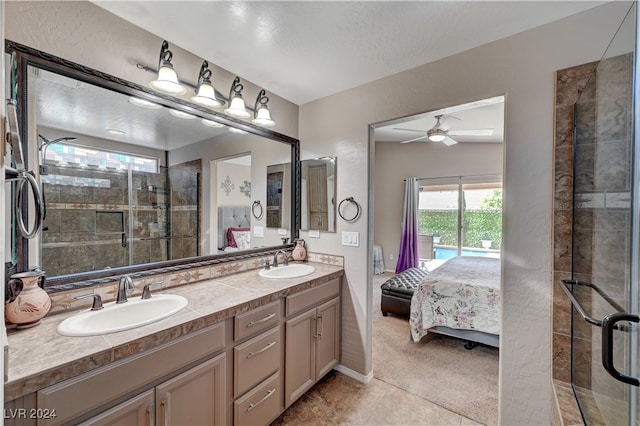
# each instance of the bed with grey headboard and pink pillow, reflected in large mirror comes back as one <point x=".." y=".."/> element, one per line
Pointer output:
<point x="234" y="228"/>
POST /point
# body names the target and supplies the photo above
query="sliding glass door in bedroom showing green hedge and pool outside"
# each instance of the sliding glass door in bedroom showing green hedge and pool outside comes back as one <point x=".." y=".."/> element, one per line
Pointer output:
<point x="459" y="216"/>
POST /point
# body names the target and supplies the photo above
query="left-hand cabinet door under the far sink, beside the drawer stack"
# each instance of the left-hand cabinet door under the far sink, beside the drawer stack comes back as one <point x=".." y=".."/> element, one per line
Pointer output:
<point x="299" y="355"/>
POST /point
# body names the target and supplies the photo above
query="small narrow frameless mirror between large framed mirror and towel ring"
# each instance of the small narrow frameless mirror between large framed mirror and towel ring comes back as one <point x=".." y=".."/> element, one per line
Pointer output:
<point x="318" y="185"/>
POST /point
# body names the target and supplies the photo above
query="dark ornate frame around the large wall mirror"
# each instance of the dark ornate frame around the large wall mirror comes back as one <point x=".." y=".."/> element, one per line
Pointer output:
<point x="25" y="56"/>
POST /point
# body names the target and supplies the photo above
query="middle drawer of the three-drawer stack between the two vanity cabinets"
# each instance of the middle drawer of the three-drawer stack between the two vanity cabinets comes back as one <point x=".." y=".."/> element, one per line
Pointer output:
<point x="255" y="360"/>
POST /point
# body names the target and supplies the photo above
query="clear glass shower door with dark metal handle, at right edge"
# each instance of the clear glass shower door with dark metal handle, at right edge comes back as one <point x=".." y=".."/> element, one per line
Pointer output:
<point x="606" y="238"/>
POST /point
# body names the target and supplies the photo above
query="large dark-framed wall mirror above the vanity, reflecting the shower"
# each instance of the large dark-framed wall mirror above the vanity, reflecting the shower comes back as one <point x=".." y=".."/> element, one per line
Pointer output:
<point x="135" y="180"/>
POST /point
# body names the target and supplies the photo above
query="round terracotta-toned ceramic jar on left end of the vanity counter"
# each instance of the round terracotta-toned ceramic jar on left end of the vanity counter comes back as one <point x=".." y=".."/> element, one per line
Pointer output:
<point x="28" y="302"/>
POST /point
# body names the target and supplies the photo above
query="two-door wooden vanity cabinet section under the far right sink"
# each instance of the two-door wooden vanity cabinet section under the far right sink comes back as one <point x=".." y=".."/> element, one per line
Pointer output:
<point x="312" y="344"/>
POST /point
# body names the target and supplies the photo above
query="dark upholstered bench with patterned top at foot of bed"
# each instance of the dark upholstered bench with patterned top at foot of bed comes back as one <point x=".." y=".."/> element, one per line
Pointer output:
<point x="398" y="290"/>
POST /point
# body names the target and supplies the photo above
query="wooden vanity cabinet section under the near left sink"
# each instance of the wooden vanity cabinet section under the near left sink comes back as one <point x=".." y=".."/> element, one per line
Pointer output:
<point x="187" y="377"/>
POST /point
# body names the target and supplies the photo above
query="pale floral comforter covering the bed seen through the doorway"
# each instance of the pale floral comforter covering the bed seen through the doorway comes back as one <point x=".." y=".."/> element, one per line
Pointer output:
<point x="463" y="293"/>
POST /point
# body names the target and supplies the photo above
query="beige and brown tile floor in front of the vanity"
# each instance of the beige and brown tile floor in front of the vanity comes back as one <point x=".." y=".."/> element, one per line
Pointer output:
<point x="340" y="400"/>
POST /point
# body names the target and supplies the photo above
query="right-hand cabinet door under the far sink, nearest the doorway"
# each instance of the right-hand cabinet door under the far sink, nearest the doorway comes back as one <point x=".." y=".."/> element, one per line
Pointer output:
<point x="328" y="337"/>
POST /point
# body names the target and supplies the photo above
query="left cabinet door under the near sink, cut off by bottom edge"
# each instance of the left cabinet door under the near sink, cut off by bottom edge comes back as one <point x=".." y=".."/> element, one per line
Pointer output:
<point x="137" y="411"/>
